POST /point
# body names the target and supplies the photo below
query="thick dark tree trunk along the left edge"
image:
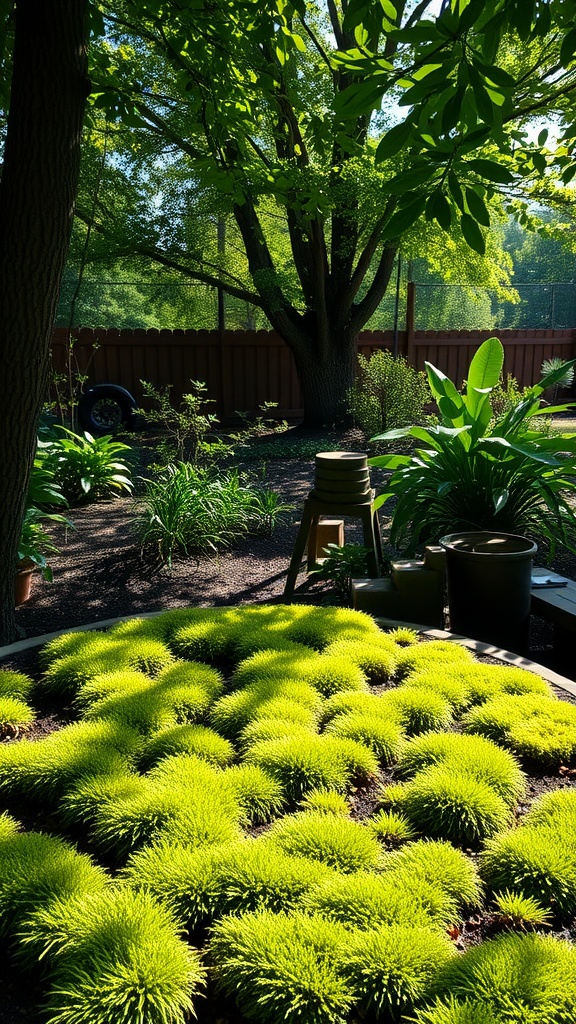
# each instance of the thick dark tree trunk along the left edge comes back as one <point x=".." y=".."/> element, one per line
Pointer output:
<point x="37" y="194"/>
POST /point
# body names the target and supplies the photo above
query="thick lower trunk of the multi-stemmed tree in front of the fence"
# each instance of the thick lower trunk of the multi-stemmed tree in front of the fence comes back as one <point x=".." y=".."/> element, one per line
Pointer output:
<point x="326" y="379"/>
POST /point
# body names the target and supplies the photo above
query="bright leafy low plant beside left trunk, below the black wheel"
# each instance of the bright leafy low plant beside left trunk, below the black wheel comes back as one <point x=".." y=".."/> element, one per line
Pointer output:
<point x="89" y="468"/>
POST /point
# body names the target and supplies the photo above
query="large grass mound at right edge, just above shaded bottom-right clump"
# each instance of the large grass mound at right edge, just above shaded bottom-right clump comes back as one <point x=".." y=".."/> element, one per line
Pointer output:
<point x="534" y="861"/>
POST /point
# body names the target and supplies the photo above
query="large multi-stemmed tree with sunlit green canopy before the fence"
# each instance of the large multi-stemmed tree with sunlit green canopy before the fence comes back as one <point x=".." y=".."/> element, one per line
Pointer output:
<point x="324" y="137"/>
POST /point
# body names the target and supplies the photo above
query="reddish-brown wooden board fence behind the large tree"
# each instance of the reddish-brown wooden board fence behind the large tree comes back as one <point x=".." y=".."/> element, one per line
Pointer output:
<point x="245" y="369"/>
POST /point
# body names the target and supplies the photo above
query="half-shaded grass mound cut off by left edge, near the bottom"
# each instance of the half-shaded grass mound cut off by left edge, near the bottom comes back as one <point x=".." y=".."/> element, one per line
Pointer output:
<point x="35" y="870"/>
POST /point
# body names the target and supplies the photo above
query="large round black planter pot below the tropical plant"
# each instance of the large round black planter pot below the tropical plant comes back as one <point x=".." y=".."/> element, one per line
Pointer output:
<point x="489" y="583"/>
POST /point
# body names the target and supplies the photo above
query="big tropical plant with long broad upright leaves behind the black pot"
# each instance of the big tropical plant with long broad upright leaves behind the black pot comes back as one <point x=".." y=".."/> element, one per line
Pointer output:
<point x="474" y="471"/>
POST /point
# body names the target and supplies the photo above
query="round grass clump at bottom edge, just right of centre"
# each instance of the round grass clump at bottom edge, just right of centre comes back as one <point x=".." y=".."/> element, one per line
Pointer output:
<point x="393" y="967"/>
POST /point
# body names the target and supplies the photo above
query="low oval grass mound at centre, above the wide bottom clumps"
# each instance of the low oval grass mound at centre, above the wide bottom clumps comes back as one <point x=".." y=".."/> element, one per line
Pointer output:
<point x="336" y="841"/>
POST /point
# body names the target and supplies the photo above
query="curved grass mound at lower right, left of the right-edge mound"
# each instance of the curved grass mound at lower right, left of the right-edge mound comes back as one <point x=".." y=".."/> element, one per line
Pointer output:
<point x="440" y="865"/>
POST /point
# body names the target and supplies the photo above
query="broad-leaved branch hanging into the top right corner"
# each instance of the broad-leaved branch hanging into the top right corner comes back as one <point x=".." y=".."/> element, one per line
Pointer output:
<point x="469" y="86"/>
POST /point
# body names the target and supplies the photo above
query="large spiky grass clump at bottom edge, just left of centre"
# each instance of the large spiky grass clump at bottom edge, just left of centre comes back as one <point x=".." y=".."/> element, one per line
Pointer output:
<point x="281" y="967"/>
